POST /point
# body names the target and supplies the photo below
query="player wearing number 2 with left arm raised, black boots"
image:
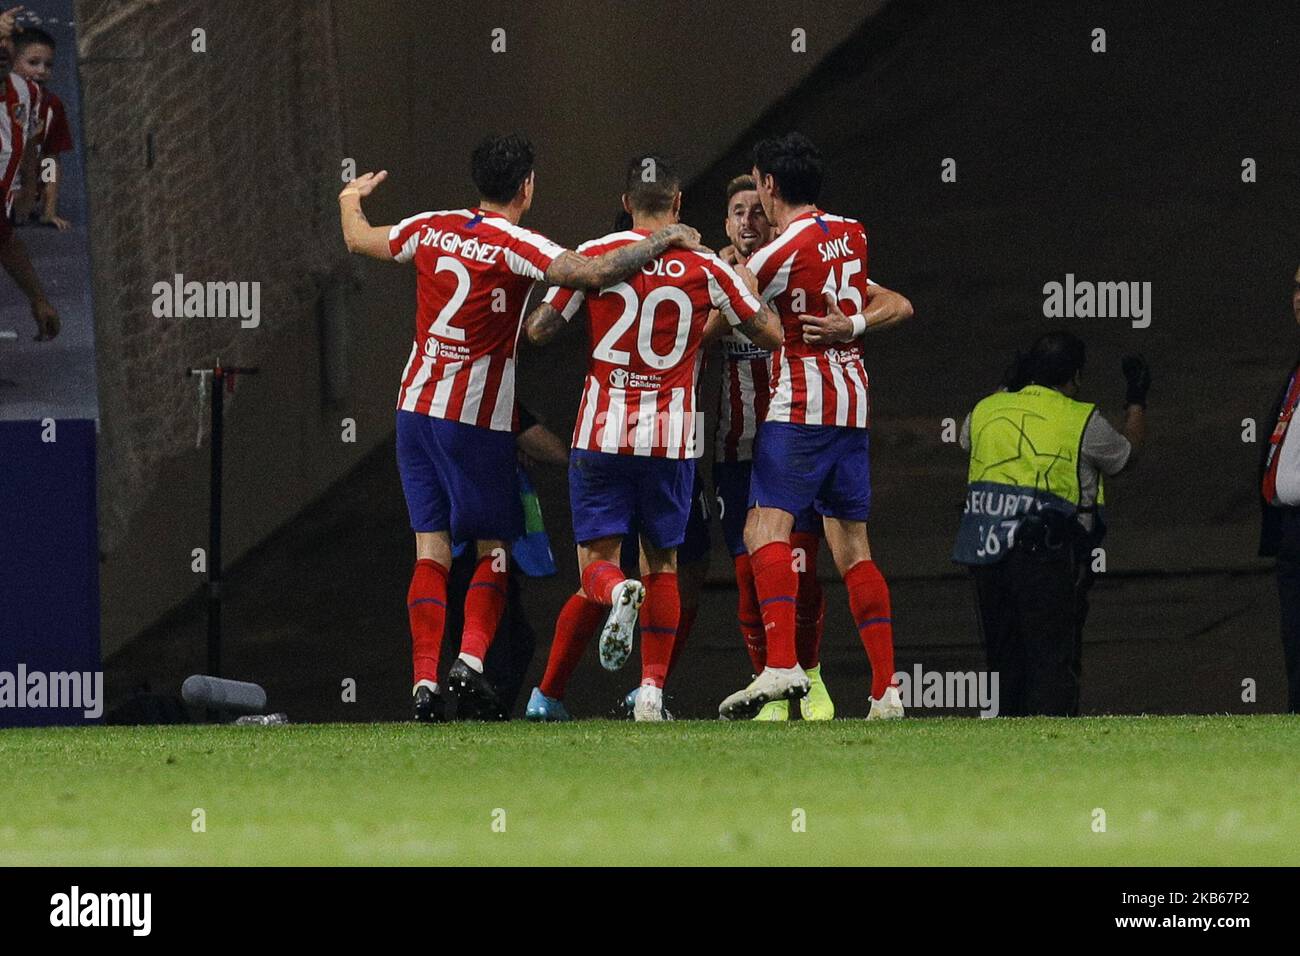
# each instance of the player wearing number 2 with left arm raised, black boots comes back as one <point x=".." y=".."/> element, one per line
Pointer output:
<point x="457" y="401"/>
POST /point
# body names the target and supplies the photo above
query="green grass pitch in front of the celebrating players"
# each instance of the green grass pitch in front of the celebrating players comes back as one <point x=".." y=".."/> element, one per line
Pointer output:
<point x="1193" y="790"/>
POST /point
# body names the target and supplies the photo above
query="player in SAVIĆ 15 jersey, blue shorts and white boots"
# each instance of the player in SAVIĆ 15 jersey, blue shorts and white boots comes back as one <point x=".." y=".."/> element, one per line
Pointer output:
<point x="817" y="418"/>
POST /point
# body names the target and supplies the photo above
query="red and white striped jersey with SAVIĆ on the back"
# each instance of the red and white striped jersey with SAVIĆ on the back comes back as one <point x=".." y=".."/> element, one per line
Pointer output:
<point x="816" y="384"/>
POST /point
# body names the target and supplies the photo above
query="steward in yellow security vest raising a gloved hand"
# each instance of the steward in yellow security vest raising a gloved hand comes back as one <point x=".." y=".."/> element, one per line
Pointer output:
<point x="1035" y="487"/>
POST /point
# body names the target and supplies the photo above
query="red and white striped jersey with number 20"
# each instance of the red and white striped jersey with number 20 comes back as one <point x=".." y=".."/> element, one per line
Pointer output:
<point x="640" y="397"/>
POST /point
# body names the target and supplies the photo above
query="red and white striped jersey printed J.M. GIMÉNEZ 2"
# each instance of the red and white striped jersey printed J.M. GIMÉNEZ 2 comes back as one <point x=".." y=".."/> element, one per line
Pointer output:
<point x="474" y="271"/>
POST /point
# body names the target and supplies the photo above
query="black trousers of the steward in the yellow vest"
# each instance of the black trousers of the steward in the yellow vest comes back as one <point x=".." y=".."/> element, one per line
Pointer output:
<point x="1032" y="612"/>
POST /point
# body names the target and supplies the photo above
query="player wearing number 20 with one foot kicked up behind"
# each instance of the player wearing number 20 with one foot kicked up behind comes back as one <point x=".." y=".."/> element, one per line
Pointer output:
<point x="638" y="436"/>
